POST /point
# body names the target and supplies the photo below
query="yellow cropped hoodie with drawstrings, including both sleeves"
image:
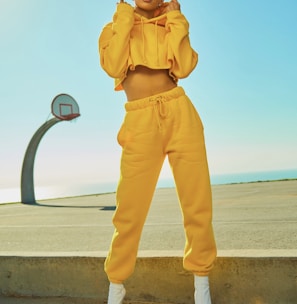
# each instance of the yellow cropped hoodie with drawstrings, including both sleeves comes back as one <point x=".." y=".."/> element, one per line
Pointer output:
<point x="158" y="43"/>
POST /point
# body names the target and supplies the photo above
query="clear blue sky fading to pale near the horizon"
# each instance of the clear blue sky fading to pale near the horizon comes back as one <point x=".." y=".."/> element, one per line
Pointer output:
<point x="244" y="87"/>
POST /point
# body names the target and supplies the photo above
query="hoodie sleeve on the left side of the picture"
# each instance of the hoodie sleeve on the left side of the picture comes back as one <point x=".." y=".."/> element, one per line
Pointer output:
<point x="114" y="41"/>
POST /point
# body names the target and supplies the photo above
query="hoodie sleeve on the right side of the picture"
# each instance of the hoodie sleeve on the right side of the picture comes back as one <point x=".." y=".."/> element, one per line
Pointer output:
<point x="182" y="57"/>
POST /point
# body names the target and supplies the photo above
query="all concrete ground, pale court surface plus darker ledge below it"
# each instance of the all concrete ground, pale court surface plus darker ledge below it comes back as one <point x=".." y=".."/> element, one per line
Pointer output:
<point x="55" y="250"/>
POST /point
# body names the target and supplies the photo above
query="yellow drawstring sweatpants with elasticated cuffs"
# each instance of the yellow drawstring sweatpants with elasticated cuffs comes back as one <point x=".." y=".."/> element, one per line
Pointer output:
<point x="162" y="125"/>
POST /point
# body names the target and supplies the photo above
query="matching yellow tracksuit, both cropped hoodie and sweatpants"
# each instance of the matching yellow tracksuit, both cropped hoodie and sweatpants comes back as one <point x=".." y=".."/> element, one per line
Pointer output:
<point x="163" y="125"/>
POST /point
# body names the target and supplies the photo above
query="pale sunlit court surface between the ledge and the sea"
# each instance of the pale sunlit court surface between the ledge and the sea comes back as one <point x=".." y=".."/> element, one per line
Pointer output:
<point x="252" y="216"/>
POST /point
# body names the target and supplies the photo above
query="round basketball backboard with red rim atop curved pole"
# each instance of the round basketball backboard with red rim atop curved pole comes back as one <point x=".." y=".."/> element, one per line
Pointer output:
<point x="64" y="107"/>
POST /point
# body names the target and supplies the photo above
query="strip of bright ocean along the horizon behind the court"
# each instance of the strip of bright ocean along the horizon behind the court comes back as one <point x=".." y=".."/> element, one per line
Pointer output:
<point x="51" y="192"/>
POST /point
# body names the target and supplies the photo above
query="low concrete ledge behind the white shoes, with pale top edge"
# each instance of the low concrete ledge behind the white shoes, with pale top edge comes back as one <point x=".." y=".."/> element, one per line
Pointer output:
<point x="239" y="277"/>
